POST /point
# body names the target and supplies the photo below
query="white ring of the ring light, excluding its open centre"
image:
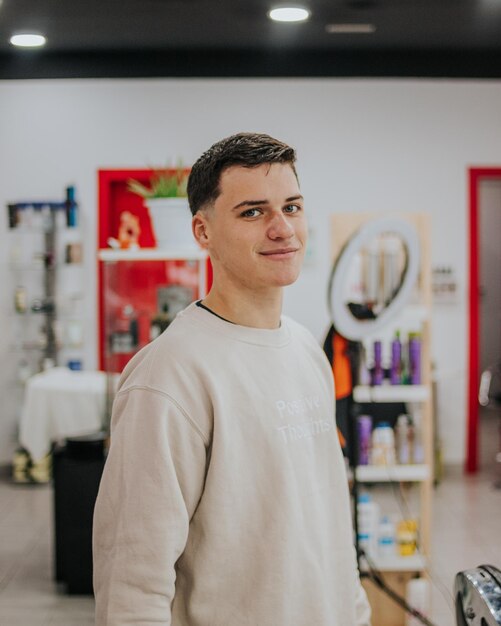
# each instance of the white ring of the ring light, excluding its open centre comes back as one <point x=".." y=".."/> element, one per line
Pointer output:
<point x="344" y="322"/>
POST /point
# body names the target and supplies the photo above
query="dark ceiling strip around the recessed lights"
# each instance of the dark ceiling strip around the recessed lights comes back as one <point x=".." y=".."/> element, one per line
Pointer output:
<point x="230" y="38"/>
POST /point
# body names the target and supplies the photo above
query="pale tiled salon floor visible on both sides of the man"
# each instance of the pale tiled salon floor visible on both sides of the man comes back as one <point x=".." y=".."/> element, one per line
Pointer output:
<point x="466" y="514"/>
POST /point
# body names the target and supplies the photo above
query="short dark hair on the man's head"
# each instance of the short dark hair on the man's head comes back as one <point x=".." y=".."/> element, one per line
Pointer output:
<point x="244" y="149"/>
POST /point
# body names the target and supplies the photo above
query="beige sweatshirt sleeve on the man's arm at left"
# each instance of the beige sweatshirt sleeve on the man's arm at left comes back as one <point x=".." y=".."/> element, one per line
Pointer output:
<point x="151" y="485"/>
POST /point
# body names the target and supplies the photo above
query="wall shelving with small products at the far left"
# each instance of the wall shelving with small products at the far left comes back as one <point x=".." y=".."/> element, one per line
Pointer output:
<point x="45" y="283"/>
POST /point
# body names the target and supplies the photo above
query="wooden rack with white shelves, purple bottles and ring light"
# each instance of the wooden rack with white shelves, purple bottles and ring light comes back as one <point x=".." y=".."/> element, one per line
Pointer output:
<point x="380" y="291"/>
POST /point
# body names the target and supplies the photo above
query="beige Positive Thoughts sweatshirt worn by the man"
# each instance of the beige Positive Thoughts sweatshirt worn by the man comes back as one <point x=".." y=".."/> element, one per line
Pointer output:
<point x="224" y="499"/>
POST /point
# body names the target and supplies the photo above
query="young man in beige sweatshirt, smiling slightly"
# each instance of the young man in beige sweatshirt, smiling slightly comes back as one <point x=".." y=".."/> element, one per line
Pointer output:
<point x="224" y="500"/>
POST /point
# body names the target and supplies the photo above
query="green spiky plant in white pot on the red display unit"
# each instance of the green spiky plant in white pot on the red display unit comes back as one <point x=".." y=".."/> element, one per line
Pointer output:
<point x="165" y="199"/>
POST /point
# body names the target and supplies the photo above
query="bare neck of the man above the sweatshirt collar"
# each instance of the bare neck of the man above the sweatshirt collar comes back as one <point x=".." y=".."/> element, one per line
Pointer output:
<point x="257" y="310"/>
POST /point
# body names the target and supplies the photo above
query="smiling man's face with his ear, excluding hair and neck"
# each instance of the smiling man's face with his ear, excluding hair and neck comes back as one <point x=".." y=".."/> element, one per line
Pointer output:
<point x="256" y="230"/>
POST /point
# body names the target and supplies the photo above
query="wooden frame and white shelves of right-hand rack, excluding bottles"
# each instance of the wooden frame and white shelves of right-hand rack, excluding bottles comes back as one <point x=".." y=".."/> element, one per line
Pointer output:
<point x="414" y="480"/>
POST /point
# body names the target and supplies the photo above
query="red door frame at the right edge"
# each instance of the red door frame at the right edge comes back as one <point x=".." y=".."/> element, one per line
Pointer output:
<point x="476" y="175"/>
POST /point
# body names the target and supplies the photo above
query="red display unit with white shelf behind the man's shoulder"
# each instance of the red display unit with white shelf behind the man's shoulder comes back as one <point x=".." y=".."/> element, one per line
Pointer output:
<point x="141" y="286"/>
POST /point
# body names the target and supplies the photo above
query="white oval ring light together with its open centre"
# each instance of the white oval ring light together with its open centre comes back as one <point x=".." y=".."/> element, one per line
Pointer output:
<point x="373" y="277"/>
